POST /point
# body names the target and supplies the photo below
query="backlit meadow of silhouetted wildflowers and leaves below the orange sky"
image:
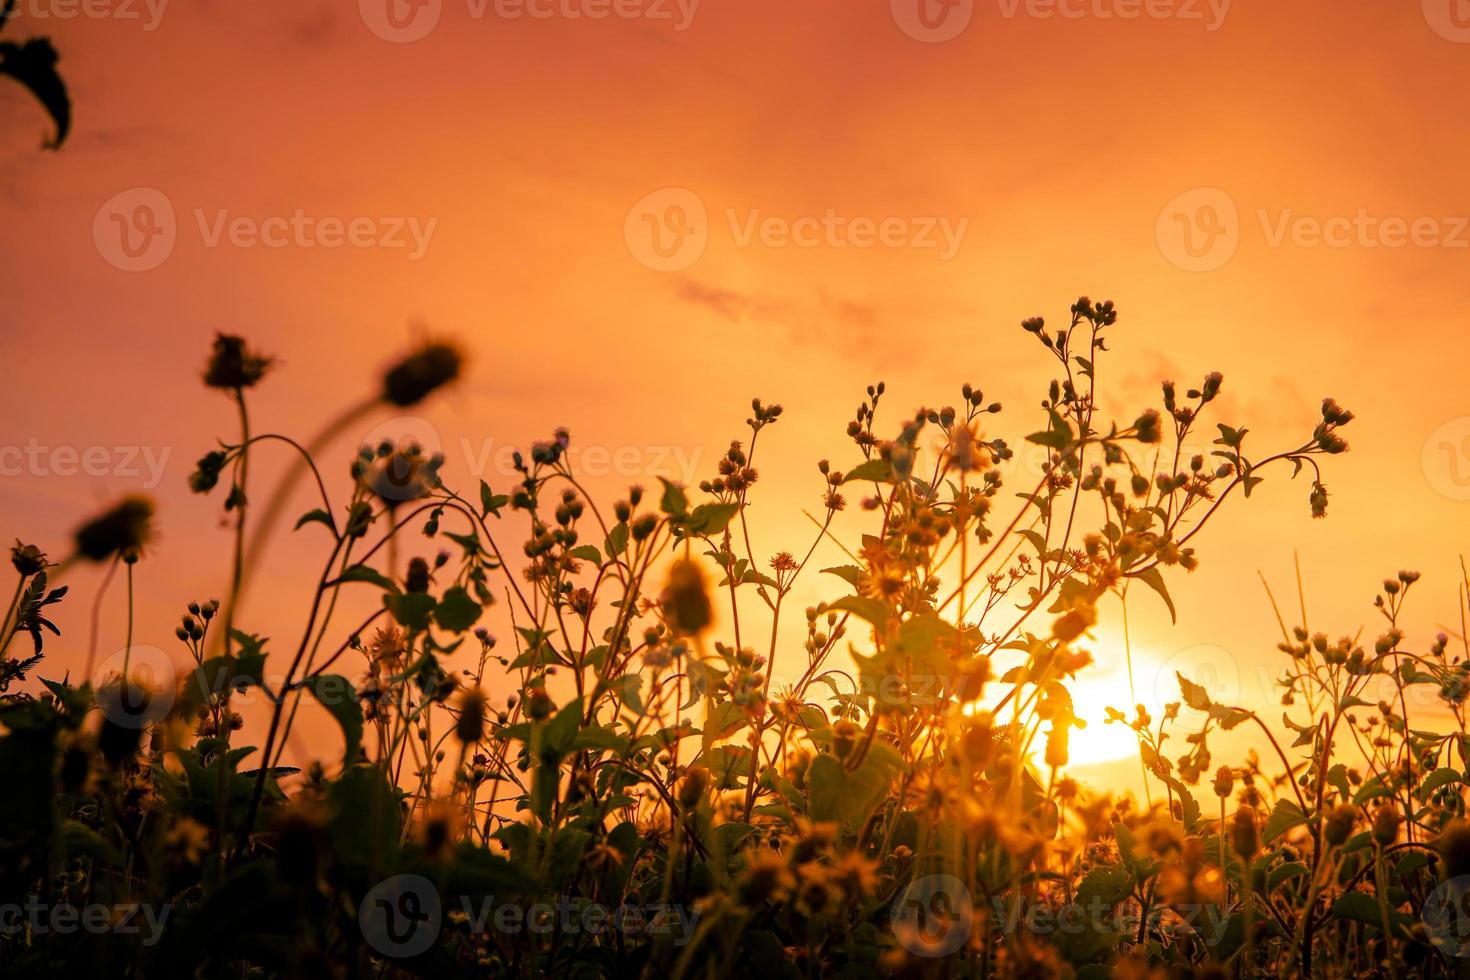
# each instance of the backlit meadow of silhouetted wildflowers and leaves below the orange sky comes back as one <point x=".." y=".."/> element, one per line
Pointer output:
<point x="677" y="787"/>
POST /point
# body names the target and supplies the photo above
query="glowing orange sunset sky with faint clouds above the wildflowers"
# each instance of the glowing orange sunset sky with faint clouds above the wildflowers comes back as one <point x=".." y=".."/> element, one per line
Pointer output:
<point x="637" y="223"/>
